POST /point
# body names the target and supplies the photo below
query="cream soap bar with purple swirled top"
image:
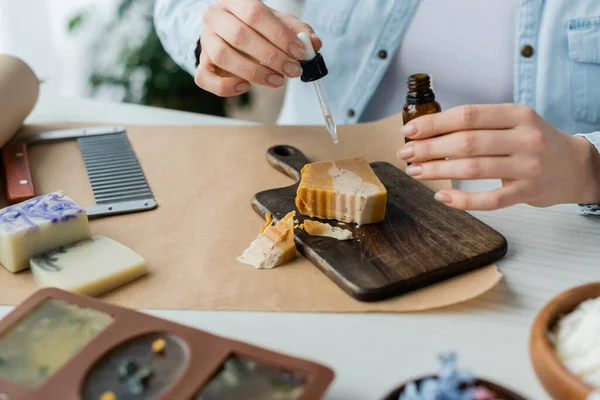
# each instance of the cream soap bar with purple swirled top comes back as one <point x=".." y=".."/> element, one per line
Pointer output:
<point x="38" y="225"/>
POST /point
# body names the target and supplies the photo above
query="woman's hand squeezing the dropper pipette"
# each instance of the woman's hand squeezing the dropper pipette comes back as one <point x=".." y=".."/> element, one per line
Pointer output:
<point x="245" y="41"/>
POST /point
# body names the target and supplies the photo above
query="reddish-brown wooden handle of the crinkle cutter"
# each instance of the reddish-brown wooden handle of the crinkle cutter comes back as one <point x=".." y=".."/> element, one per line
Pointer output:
<point x="19" y="184"/>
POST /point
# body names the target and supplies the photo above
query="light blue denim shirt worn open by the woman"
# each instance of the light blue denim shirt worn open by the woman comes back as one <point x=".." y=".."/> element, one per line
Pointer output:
<point x="561" y="80"/>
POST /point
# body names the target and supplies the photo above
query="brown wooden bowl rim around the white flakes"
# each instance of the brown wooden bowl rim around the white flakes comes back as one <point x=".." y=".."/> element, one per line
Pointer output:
<point x="558" y="381"/>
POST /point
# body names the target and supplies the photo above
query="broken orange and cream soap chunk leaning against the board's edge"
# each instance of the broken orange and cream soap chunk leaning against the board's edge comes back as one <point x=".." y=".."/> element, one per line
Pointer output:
<point x="274" y="246"/>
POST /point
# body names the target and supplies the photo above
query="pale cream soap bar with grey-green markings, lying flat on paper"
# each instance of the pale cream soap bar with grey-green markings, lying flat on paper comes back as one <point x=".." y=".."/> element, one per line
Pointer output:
<point x="90" y="267"/>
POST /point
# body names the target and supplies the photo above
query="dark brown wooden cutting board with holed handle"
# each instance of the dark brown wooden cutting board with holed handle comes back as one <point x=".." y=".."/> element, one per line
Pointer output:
<point x="420" y="241"/>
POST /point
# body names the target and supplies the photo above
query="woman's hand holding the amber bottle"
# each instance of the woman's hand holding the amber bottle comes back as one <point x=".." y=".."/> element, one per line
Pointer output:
<point x="537" y="163"/>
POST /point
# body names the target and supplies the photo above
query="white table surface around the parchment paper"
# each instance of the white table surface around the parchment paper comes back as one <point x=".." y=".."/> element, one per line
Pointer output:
<point x="550" y="250"/>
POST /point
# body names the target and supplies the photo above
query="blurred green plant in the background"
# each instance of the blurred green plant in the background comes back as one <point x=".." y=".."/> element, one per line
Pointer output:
<point x="141" y="69"/>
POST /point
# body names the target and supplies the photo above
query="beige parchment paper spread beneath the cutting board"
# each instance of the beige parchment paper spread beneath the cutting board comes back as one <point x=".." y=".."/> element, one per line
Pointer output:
<point x="203" y="178"/>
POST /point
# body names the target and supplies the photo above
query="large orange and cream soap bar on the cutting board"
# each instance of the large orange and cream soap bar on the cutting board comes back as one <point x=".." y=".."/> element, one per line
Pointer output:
<point x="345" y="190"/>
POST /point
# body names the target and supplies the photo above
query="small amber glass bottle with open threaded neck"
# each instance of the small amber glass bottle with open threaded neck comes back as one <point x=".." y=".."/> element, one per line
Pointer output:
<point x="420" y="99"/>
